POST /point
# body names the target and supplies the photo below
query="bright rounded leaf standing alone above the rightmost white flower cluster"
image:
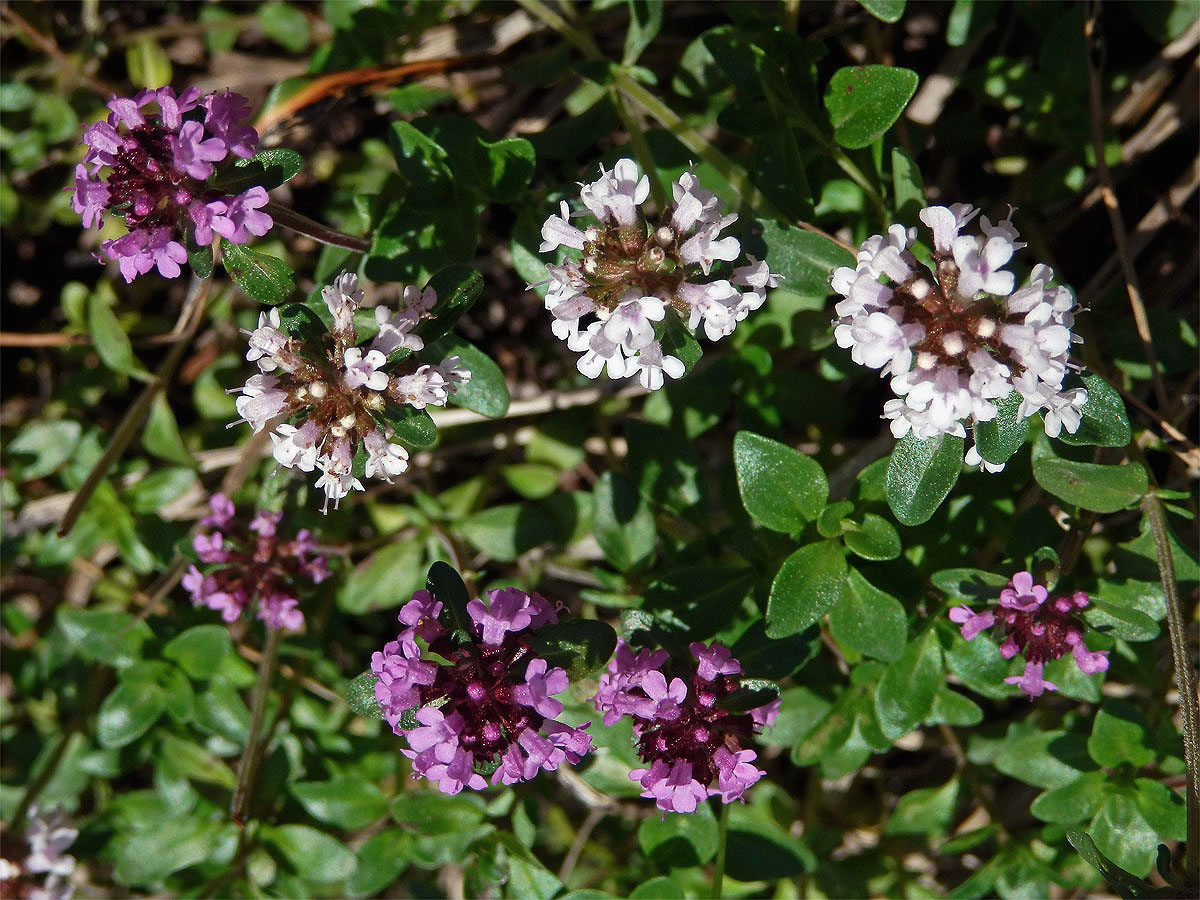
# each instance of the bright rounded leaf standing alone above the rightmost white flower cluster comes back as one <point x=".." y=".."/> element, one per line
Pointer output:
<point x="865" y="101"/>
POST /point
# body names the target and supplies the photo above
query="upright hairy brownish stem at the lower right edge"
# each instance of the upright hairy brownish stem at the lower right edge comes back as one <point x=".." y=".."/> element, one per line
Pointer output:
<point x="1185" y="679"/>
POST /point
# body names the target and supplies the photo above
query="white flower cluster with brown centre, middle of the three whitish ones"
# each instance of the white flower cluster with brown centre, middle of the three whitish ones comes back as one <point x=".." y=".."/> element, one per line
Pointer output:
<point x="633" y="273"/>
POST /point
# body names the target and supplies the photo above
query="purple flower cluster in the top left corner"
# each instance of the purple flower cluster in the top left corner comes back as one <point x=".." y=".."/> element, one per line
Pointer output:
<point x="160" y="152"/>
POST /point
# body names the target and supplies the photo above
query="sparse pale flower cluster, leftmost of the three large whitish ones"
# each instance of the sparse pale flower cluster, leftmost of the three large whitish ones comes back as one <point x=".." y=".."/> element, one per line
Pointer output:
<point x="340" y="395"/>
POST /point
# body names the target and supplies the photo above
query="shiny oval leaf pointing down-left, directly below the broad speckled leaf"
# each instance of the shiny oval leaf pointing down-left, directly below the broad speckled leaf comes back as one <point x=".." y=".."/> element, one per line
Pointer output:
<point x="809" y="584"/>
